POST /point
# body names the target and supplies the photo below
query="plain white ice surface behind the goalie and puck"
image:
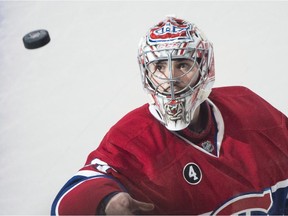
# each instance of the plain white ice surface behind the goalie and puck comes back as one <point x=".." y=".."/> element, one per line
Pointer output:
<point x="57" y="102"/>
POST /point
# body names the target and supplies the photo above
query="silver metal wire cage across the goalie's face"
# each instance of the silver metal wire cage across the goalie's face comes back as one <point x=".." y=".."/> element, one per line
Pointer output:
<point x="198" y="56"/>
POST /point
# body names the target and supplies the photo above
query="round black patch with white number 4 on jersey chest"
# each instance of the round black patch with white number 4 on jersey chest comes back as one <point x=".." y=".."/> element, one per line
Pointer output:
<point x="192" y="173"/>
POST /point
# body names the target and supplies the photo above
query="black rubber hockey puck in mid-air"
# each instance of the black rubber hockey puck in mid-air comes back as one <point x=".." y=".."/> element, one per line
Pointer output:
<point x="36" y="39"/>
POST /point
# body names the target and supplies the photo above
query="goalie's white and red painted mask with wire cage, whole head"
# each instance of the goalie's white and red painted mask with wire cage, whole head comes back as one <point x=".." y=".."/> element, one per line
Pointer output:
<point x="177" y="69"/>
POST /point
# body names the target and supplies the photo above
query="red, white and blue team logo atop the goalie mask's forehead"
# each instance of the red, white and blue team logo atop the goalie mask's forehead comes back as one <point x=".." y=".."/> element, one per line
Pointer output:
<point x="169" y="31"/>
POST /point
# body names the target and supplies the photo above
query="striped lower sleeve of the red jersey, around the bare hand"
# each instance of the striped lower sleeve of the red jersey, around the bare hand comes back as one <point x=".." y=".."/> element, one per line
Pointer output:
<point x="83" y="193"/>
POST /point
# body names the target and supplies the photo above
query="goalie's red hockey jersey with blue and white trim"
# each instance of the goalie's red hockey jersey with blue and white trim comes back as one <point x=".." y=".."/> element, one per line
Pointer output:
<point x="237" y="165"/>
